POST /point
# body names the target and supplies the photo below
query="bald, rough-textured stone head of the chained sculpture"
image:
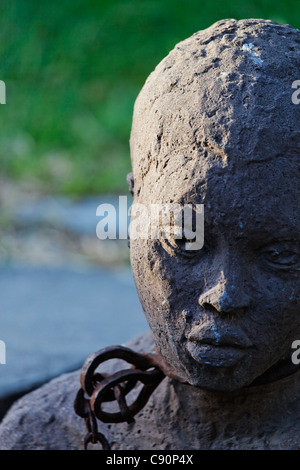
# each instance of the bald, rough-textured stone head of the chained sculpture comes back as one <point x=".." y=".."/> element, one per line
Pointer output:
<point x="215" y="124"/>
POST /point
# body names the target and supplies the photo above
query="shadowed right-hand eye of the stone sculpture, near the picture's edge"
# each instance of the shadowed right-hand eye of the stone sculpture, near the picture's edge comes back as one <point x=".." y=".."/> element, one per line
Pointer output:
<point x="282" y="256"/>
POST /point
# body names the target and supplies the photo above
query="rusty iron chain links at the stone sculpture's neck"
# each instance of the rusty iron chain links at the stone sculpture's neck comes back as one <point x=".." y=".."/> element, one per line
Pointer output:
<point x="97" y="389"/>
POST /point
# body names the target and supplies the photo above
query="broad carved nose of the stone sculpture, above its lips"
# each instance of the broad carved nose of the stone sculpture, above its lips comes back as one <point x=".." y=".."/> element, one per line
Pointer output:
<point x="226" y="296"/>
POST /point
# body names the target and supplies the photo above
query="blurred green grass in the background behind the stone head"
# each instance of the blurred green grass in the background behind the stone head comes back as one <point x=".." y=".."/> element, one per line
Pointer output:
<point x="73" y="69"/>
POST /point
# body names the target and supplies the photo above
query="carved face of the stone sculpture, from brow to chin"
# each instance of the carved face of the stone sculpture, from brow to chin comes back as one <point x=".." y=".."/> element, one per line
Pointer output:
<point x="224" y="314"/>
